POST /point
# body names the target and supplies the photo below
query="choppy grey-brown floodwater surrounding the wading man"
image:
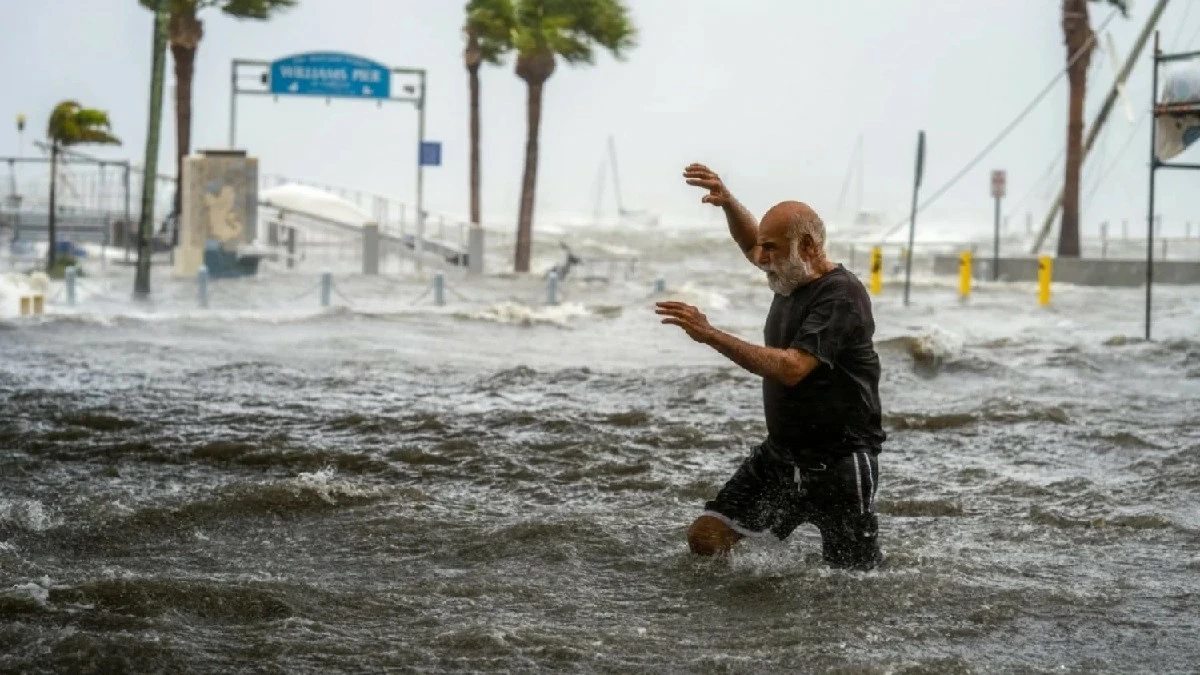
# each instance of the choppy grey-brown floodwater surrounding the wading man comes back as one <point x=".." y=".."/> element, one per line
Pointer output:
<point x="268" y="487"/>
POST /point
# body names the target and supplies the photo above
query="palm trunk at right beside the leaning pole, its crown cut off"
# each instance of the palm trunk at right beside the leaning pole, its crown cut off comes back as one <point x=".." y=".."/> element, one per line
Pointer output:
<point x="1081" y="41"/>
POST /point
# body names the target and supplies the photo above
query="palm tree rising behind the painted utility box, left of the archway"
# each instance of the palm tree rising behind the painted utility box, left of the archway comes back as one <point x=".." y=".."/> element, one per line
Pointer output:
<point x="185" y="32"/>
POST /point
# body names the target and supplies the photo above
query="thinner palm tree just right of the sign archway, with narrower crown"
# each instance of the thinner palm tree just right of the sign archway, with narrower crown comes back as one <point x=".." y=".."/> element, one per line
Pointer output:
<point x="489" y="31"/>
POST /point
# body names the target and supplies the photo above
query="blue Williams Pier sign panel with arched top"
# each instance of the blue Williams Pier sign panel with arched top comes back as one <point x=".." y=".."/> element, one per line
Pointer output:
<point x="331" y="74"/>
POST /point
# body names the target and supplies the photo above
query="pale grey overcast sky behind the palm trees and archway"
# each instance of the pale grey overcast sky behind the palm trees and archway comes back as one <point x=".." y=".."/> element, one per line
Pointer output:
<point x="771" y="93"/>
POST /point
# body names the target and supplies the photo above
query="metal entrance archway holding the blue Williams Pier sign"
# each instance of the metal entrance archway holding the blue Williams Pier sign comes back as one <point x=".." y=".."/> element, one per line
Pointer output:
<point x="335" y="75"/>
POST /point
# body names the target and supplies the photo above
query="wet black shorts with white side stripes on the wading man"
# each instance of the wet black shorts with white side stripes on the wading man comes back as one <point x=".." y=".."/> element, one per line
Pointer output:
<point x="770" y="494"/>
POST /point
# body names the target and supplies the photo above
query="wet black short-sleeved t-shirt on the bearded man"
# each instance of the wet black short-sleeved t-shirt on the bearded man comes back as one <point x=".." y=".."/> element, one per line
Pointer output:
<point x="836" y="410"/>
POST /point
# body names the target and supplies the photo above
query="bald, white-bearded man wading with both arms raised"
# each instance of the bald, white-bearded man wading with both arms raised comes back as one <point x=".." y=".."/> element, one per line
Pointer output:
<point x="820" y="392"/>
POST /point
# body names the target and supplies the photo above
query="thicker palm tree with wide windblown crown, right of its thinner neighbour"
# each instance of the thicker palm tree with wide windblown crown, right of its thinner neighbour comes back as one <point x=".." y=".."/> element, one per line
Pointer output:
<point x="548" y="31"/>
